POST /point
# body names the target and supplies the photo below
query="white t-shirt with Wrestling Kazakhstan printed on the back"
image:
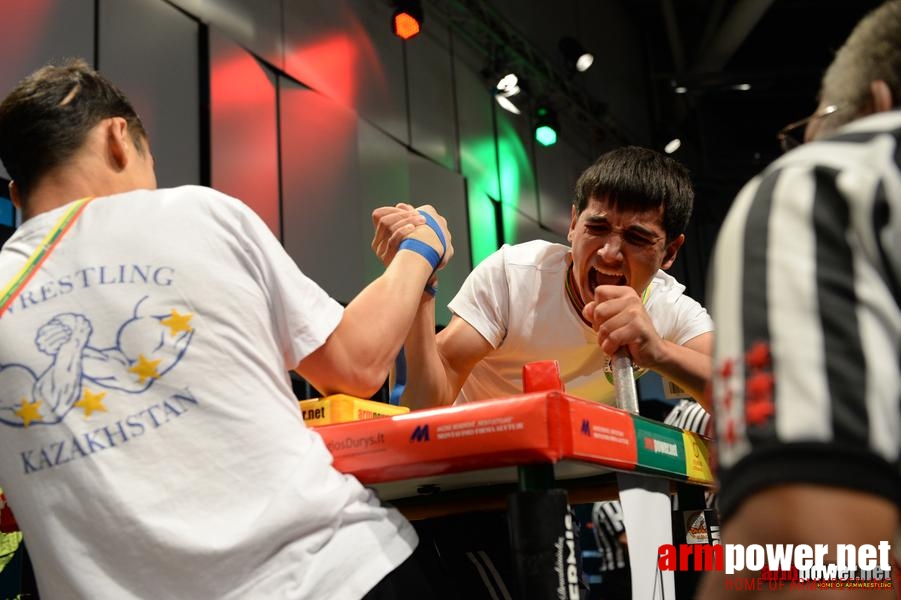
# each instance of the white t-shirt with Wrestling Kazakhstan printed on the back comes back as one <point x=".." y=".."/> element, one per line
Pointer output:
<point x="150" y="442"/>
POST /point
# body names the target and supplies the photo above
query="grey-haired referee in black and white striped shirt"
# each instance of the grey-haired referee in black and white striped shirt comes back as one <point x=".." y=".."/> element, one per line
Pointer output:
<point x="806" y="281"/>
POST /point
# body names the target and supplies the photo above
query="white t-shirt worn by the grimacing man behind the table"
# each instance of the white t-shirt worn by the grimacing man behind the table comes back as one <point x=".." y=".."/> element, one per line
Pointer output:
<point x="516" y="300"/>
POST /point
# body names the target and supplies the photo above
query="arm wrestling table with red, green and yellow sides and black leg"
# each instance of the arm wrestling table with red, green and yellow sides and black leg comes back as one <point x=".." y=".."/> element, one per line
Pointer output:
<point x="521" y="452"/>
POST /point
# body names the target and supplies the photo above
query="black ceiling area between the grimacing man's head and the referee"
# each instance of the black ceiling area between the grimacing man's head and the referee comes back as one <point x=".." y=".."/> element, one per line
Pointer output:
<point x="778" y="47"/>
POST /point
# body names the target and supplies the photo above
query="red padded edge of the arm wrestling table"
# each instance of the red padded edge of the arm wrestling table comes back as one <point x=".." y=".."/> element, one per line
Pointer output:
<point x="540" y="427"/>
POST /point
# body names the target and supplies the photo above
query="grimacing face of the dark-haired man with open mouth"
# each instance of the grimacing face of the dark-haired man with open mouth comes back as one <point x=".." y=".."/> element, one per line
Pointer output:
<point x="618" y="246"/>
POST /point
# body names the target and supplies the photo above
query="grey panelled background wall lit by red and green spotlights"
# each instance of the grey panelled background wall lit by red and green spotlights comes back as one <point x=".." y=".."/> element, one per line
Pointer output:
<point x="314" y="113"/>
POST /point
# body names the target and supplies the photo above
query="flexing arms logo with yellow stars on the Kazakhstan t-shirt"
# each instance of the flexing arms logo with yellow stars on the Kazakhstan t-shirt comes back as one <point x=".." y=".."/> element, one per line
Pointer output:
<point x="147" y="345"/>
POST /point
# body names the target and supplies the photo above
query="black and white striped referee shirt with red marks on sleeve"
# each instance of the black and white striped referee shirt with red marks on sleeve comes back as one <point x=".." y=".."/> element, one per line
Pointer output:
<point x="805" y="280"/>
